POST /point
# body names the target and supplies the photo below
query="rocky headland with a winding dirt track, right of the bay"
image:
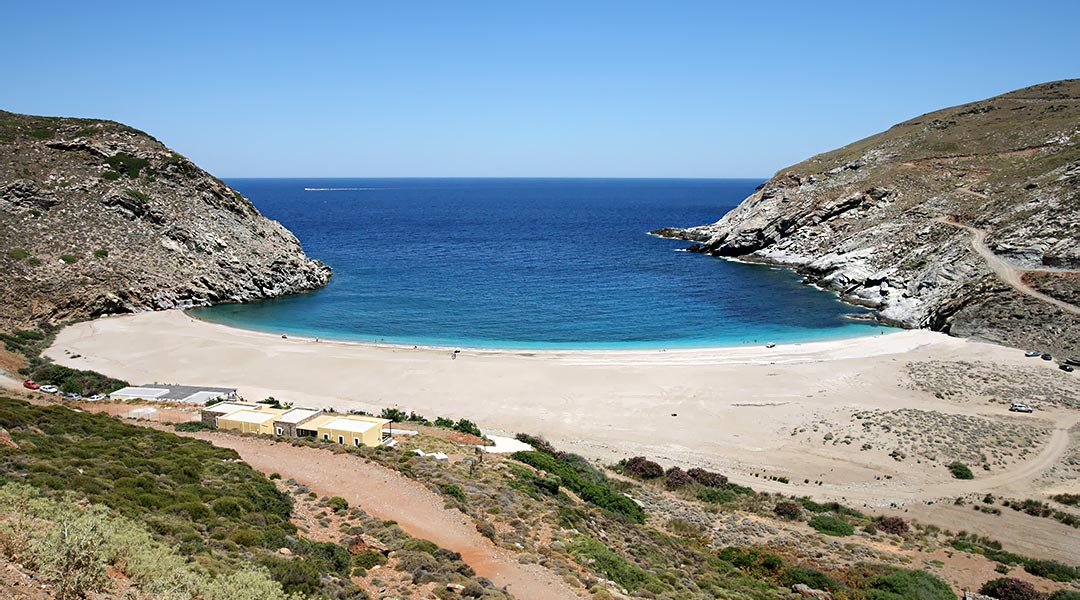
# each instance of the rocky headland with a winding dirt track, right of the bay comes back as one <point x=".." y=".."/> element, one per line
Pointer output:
<point x="883" y="221"/>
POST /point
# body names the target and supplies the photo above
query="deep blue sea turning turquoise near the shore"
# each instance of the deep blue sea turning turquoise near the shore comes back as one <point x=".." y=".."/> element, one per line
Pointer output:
<point x="529" y="264"/>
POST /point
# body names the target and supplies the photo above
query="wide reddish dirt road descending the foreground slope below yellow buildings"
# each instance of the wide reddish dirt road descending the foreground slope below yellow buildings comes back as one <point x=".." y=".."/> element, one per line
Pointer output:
<point x="387" y="495"/>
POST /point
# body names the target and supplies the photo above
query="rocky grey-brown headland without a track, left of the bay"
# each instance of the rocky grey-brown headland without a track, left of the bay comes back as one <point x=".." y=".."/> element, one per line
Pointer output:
<point x="98" y="219"/>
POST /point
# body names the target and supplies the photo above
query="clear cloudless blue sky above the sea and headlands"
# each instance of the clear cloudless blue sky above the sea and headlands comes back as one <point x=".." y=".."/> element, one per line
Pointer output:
<point x="521" y="89"/>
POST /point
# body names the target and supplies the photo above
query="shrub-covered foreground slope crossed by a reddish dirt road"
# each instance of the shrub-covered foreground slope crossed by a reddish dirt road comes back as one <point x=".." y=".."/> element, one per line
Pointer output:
<point x="168" y="516"/>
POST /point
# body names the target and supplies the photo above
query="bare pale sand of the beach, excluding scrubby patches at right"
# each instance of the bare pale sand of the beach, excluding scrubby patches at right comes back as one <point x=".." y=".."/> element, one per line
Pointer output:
<point x="728" y="408"/>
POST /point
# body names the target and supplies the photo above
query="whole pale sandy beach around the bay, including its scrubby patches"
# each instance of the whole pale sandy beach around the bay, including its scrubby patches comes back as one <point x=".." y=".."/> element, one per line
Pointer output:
<point x="830" y="417"/>
